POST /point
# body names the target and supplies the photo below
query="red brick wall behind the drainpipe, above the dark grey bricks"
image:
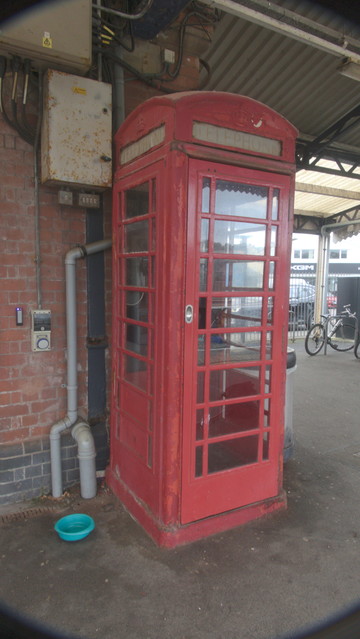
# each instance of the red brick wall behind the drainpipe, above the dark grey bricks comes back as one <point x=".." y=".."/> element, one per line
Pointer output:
<point x="32" y="393"/>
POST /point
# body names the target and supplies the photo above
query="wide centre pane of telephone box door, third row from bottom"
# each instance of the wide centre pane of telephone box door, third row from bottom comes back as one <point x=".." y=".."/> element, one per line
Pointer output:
<point x="234" y="382"/>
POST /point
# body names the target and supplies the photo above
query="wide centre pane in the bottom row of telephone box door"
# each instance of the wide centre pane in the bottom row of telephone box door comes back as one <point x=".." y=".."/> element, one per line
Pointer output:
<point x="233" y="453"/>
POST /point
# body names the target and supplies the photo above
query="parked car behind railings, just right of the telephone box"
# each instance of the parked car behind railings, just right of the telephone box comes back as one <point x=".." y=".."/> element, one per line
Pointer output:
<point x="301" y="304"/>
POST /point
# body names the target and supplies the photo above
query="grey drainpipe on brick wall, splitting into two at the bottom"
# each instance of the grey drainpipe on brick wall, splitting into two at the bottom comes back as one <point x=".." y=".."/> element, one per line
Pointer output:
<point x="81" y="431"/>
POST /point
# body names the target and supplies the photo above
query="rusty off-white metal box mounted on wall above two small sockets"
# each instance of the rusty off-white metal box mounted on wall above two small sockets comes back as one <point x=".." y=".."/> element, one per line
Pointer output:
<point x="76" y="131"/>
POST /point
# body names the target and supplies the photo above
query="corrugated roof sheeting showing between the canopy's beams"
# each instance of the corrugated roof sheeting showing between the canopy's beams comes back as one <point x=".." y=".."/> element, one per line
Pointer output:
<point x="297" y="80"/>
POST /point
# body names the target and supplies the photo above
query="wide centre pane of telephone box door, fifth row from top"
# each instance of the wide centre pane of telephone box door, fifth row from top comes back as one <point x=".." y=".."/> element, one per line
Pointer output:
<point x="235" y="347"/>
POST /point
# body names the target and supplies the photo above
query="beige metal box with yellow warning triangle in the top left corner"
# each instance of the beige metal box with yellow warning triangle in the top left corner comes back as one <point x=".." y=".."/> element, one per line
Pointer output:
<point x="56" y="34"/>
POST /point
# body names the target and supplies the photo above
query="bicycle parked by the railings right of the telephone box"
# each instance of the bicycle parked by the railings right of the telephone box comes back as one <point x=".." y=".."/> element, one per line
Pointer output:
<point x="335" y="331"/>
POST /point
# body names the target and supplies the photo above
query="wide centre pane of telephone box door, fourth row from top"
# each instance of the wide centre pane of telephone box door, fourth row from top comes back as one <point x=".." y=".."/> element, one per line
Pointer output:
<point x="232" y="312"/>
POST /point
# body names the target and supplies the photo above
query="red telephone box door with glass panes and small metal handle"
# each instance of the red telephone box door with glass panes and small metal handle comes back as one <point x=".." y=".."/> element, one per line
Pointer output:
<point x="235" y="338"/>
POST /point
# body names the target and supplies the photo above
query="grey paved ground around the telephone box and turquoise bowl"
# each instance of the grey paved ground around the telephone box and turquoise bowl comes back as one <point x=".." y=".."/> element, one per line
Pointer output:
<point x="262" y="580"/>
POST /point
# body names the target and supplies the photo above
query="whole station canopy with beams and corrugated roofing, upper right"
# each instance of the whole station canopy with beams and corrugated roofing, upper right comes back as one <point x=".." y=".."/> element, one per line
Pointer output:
<point x="303" y="60"/>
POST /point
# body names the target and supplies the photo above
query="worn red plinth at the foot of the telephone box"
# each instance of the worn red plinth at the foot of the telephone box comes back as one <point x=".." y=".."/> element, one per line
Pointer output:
<point x="177" y="534"/>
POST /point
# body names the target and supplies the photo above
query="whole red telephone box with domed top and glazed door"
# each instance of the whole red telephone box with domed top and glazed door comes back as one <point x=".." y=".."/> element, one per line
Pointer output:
<point x="202" y="226"/>
